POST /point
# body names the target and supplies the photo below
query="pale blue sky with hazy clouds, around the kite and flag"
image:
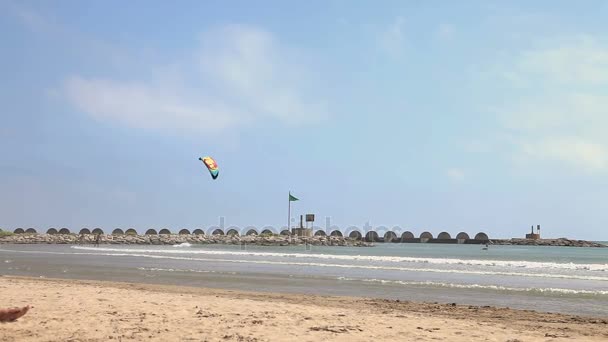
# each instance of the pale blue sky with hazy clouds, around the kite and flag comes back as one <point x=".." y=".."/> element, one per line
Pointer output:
<point x="427" y="115"/>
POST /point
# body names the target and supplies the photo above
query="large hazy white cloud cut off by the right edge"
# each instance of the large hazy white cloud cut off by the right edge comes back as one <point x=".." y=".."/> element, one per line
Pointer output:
<point x="561" y="105"/>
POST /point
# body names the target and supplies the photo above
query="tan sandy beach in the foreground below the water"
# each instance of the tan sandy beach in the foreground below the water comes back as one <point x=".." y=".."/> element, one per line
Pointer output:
<point x="70" y="310"/>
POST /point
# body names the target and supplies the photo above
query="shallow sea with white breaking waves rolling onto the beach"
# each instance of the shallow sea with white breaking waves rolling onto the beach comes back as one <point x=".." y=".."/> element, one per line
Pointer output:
<point x="553" y="279"/>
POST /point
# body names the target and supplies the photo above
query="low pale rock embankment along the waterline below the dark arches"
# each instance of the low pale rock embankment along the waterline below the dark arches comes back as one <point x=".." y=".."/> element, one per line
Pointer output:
<point x="175" y="239"/>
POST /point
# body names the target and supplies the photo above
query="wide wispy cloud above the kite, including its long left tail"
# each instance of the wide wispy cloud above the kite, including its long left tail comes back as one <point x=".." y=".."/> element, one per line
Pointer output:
<point x="239" y="75"/>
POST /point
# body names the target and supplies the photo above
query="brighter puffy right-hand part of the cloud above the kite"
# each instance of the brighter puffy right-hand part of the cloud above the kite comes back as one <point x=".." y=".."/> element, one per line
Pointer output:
<point x="250" y="63"/>
